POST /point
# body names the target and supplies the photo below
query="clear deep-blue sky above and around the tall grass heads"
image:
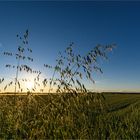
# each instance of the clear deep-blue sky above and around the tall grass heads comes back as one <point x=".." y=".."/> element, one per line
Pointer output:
<point x="53" y="25"/>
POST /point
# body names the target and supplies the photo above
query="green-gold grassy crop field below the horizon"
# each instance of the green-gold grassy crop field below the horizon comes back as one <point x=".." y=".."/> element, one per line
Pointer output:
<point x="70" y="116"/>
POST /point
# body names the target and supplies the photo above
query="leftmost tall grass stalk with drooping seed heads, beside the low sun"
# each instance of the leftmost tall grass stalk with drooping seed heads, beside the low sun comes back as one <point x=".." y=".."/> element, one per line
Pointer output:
<point x="20" y="55"/>
